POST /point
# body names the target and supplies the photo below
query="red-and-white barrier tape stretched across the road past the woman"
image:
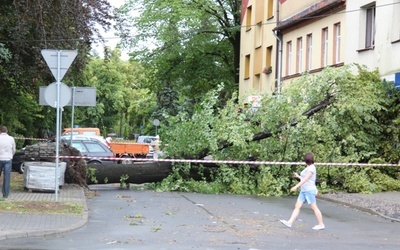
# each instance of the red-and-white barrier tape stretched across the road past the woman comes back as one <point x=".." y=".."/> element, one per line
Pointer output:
<point x="241" y="162"/>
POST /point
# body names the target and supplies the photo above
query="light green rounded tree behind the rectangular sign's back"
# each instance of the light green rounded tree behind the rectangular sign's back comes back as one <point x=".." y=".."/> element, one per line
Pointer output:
<point x="124" y="104"/>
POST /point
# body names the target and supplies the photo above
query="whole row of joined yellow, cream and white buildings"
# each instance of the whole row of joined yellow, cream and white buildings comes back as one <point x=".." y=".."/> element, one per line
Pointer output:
<point x="309" y="35"/>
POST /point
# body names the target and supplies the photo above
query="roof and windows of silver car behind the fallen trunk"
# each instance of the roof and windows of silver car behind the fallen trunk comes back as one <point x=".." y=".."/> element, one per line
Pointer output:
<point x="95" y="152"/>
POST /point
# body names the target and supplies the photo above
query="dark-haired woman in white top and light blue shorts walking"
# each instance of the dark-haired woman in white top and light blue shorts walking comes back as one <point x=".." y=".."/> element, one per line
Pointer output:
<point x="307" y="193"/>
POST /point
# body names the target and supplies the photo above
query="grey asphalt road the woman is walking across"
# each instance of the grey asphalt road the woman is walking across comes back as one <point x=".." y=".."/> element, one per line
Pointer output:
<point x="127" y="219"/>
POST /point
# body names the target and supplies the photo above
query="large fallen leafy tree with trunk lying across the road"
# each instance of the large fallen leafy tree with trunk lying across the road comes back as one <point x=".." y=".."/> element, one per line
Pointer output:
<point x="315" y="118"/>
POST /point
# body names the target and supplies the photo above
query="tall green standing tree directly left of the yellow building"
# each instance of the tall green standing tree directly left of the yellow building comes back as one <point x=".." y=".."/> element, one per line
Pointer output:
<point x="193" y="45"/>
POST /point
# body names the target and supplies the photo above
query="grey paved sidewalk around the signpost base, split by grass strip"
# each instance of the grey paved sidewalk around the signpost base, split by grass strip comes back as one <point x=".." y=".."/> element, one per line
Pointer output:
<point x="15" y="225"/>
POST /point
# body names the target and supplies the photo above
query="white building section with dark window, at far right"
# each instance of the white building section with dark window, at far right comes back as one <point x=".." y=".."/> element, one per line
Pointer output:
<point x="373" y="36"/>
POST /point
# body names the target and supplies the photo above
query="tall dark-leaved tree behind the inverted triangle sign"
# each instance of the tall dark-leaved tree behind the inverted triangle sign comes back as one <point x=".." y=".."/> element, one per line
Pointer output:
<point x="26" y="28"/>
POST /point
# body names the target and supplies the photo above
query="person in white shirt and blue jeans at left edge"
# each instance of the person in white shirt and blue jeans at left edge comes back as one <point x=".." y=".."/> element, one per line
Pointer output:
<point x="7" y="151"/>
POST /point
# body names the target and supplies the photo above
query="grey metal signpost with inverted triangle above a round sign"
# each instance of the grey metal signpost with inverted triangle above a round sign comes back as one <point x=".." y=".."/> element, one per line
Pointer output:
<point x="58" y="61"/>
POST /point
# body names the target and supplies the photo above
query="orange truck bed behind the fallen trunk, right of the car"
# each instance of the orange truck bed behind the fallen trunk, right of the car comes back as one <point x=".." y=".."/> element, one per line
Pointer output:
<point x="128" y="150"/>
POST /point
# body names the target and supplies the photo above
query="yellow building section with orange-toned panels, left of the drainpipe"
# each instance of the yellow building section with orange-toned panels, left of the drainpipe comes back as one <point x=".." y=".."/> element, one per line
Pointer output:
<point x="258" y="48"/>
